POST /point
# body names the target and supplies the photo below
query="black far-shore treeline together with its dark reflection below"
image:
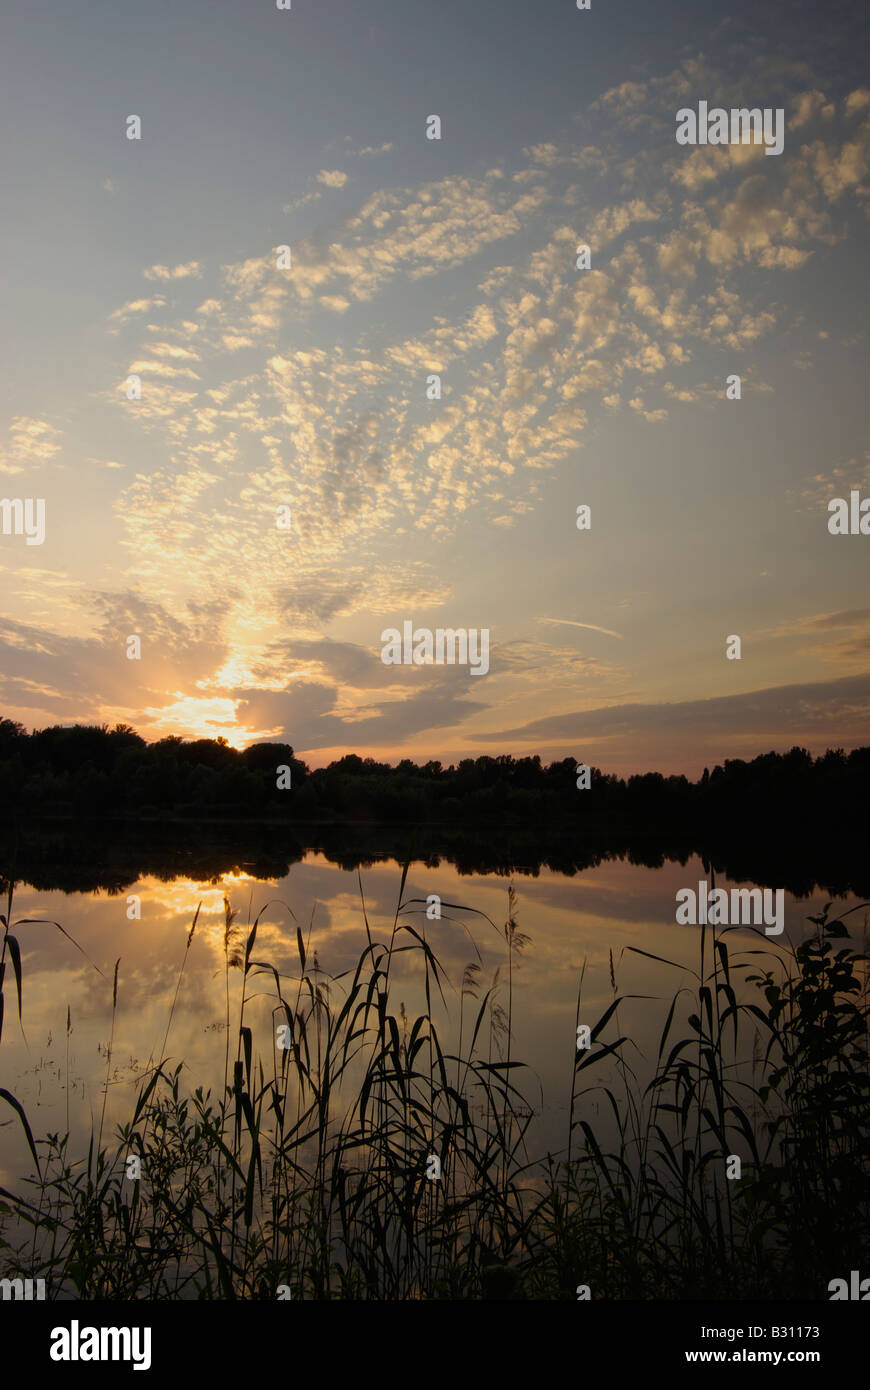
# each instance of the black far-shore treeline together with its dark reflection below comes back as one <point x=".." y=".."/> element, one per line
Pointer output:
<point x="88" y="807"/>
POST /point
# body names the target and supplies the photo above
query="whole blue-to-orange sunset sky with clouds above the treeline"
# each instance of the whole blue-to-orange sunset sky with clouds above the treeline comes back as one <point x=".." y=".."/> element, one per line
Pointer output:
<point x="266" y="386"/>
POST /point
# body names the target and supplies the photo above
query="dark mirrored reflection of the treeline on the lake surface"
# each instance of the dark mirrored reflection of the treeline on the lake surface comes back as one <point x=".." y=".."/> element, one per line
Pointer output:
<point x="115" y="856"/>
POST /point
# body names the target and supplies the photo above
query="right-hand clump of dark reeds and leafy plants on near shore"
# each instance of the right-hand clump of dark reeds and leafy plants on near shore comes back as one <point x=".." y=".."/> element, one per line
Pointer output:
<point x="658" y="1216"/>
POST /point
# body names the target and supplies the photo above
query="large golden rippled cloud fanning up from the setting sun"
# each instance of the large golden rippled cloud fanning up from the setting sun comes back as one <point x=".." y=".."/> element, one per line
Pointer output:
<point x="331" y="418"/>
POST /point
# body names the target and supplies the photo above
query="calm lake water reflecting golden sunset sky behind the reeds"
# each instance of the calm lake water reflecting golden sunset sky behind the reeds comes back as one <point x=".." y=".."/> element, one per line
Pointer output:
<point x="589" y="917"/>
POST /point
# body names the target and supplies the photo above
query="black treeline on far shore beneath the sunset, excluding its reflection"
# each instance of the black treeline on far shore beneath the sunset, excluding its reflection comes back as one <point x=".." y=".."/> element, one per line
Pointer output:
<point x="87" y="771"/>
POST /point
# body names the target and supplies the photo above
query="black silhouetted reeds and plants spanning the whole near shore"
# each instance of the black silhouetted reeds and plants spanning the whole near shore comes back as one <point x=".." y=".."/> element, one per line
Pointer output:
<point x="309" y="1174"/>
